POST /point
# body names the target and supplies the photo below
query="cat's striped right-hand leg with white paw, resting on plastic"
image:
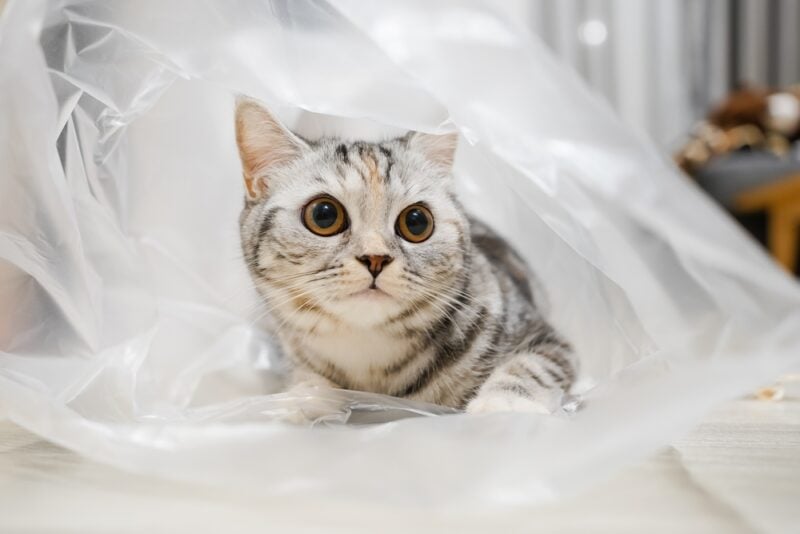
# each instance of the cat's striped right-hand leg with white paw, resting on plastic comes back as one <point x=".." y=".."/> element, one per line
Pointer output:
<point x="527" y="382"/>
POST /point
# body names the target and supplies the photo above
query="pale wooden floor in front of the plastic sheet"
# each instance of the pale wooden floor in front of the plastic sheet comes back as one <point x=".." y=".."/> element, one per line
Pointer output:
<point x="738" y="472"/>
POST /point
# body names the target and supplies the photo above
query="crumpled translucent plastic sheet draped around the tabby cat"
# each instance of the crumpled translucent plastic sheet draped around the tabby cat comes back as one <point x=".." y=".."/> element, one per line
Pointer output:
<point x="125" y="325"/>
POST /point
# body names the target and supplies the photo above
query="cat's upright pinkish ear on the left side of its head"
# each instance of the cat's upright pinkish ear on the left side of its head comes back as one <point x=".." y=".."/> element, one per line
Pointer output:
<point x="264" y="144"/>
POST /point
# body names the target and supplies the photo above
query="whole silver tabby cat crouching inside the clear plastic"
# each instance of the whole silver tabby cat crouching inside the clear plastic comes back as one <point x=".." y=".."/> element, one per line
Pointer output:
<point x="377" y="280"/>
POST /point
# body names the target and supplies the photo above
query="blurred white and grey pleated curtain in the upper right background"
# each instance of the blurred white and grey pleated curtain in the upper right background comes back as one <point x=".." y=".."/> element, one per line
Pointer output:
<point x="662" y="64"/>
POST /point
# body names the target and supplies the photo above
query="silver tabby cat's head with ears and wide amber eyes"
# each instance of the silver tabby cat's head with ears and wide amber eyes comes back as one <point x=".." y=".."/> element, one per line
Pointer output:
<point x="361" y="233"/>
